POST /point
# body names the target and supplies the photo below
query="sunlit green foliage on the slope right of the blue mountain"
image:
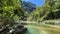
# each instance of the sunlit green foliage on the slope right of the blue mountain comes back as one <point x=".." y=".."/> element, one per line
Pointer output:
<point x="50" y="10"/>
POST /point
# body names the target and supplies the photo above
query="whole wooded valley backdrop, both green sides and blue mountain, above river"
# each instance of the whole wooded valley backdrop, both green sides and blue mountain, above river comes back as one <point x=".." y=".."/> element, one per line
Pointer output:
<point x="15" y="10"/>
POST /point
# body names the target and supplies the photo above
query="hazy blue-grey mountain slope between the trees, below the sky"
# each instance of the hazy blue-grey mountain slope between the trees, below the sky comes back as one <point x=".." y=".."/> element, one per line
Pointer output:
<point x="28" y="6"/>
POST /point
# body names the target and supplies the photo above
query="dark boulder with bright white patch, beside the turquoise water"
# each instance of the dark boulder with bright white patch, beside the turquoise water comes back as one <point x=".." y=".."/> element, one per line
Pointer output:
<point x="18" y="29"/>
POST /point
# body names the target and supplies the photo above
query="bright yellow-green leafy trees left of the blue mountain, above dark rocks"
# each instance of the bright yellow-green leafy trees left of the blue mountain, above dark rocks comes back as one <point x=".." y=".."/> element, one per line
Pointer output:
<point x="7" y="8"/>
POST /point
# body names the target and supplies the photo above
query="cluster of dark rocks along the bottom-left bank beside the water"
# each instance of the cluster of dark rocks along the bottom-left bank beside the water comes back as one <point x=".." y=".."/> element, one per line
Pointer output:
<point x="15" y="29"/>
